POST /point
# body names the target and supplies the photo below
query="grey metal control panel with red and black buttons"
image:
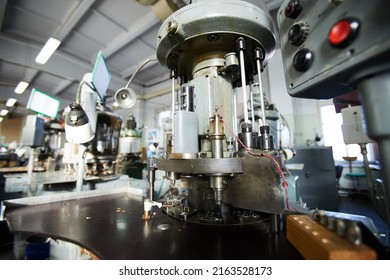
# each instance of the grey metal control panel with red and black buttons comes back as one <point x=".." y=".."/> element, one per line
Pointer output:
<point x="327" y="45"/>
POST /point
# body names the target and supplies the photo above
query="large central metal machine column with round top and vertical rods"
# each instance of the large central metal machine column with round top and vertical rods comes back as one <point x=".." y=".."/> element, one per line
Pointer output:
<point x="233" y="174"/>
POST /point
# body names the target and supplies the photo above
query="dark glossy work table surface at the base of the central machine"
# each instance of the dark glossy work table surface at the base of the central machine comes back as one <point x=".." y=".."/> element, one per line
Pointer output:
<point x="110" y="226"/>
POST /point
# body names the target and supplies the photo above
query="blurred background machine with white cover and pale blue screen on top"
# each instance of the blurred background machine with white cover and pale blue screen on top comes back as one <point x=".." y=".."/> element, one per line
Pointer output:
<point x="92" y="130"/>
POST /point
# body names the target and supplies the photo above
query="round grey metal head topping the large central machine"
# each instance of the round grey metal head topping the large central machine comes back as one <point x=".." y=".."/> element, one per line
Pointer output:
<point x="209" y="29"/>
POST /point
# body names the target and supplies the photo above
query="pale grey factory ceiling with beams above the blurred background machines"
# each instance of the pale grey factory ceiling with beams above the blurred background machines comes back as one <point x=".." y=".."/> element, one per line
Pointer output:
<point x="124" y="30"/>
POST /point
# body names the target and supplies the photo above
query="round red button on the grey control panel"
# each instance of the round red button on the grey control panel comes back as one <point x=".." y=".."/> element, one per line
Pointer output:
<point x="343" y="32"/>
